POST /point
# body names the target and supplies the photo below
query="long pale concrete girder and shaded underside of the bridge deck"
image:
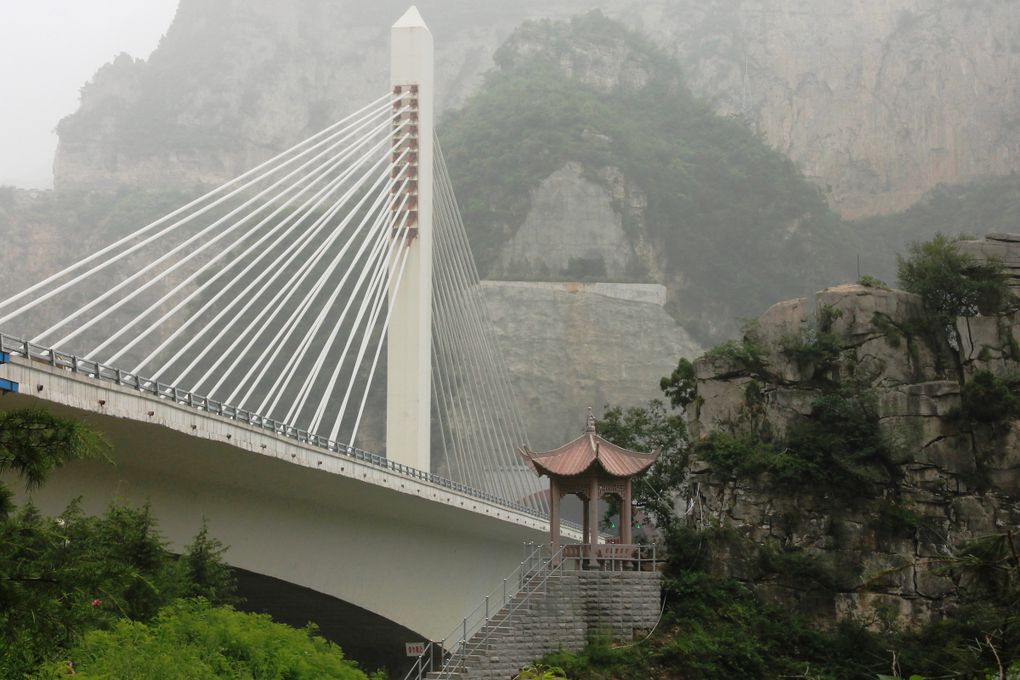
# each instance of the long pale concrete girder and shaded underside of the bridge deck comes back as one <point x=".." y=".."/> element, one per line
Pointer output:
<point x="420" y="557"/>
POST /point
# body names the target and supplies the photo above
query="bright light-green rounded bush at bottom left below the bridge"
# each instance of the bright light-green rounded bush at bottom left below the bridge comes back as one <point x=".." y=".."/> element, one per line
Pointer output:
<point x="193" y="641"/>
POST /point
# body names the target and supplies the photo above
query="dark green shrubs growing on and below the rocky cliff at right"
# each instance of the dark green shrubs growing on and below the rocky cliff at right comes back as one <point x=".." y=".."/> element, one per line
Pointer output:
<point x="724" y="618"/>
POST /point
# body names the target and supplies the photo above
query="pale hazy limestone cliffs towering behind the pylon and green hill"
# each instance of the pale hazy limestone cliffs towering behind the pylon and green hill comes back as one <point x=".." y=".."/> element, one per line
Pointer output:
<point x="878" y="100"/>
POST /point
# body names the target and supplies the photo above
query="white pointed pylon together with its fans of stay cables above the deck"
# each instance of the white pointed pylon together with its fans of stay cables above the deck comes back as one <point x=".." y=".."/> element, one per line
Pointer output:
<point x="270" y="299"/>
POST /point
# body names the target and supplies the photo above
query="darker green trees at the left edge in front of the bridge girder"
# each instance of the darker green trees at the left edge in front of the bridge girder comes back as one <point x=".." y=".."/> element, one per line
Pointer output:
<point x="64" y="577"/>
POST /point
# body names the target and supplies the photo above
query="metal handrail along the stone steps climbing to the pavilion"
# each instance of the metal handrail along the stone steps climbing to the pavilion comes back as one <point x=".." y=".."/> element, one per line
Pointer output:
<point x="451" y="646"/>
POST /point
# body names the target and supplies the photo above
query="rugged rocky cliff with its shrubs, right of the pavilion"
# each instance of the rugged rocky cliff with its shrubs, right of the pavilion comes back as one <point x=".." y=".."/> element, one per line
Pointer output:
<point x="879" y="454"/>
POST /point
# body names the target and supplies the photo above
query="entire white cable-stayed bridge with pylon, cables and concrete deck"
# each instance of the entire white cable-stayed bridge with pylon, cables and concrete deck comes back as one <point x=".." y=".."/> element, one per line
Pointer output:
<point x="303" y="356"/>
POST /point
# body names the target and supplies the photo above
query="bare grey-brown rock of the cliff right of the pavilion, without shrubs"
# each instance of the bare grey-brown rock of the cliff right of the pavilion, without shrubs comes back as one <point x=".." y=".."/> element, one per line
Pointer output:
<point x="947" y="481"/>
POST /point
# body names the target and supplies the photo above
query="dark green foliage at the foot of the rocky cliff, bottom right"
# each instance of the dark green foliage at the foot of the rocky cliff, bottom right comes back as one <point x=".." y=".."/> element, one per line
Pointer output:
<point x="717" y="627"/>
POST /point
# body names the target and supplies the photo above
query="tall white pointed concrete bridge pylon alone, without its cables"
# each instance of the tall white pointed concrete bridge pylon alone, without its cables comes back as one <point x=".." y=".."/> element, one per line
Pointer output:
<point x="410" y="340"/>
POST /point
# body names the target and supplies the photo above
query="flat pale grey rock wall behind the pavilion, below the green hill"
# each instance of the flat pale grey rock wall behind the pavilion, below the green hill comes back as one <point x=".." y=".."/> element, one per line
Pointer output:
<point x="569" y="346"/>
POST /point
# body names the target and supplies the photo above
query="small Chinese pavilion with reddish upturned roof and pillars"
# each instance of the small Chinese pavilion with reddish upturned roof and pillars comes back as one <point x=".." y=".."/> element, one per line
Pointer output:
<point x="590" y="467"/>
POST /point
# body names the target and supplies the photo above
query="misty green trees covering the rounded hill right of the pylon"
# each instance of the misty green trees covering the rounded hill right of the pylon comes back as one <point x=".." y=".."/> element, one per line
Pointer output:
<point x="721" y="202"/>
